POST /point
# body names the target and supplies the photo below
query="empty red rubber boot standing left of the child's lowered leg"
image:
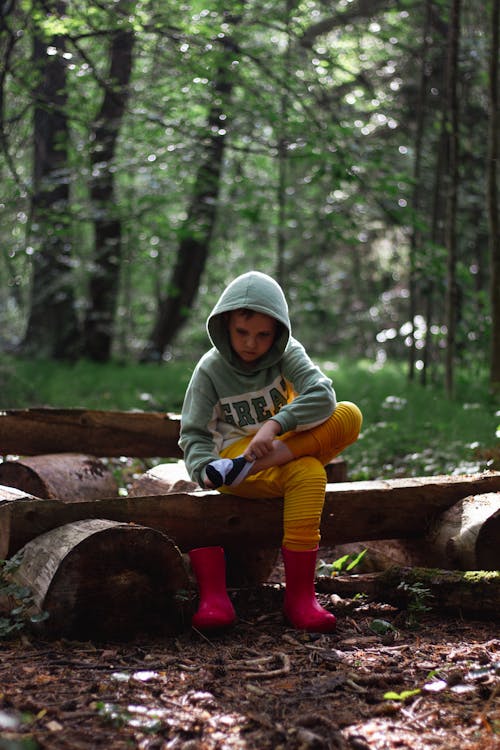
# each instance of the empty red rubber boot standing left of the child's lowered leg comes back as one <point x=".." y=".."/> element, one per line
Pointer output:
<point x="215" y="609"/>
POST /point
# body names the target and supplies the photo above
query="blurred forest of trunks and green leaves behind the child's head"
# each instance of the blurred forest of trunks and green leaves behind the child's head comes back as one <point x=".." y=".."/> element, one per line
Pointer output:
<point x="152" y="150"/>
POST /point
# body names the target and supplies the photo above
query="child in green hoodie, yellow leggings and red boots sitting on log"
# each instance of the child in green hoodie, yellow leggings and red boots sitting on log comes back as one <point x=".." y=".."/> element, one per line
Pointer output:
<point x="260" y="420"/>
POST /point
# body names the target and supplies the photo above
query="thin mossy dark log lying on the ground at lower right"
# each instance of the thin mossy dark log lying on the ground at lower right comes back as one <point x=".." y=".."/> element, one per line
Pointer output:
<point x="474" y="592"/>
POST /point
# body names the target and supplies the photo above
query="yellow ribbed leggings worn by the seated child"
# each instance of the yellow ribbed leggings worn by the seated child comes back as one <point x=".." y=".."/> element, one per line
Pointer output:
<point x="301" y="481"/>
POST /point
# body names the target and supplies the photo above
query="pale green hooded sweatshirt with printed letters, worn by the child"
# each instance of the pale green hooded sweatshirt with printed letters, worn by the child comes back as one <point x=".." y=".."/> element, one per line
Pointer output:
<point x="227" y="399"/>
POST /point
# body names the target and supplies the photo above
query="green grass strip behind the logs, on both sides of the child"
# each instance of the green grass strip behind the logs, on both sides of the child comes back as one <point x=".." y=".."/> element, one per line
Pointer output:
<point x="408" y="430"/>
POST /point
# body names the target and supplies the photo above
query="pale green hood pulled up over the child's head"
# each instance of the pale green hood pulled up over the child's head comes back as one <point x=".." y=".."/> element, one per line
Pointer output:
<point x="251" y="291"/>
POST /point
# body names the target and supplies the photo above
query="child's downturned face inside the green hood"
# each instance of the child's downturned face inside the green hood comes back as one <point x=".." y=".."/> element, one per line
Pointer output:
<point x="251" y="337"/>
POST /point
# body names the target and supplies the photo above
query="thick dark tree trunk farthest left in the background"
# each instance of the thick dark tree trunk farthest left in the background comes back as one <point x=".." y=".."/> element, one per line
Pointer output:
<point x="52" y="329"/>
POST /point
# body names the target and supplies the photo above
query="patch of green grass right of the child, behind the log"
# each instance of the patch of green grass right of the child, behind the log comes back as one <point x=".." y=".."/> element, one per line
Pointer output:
<point x="409" y="430"/>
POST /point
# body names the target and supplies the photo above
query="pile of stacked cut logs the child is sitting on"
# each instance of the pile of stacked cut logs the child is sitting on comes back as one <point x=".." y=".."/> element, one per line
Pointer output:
<point x="98" y="562"/>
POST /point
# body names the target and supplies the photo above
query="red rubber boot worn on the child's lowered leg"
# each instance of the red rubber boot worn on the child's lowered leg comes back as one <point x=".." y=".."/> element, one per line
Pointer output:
<point x="301" y="607"/>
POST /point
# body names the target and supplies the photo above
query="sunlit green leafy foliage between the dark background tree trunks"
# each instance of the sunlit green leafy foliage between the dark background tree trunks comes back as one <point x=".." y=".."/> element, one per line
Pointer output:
<point x="336" y="86"/>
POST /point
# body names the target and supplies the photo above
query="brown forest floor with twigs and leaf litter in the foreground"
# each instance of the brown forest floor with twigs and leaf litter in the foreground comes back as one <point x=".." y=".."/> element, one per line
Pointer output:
<point x="262" y="685"/>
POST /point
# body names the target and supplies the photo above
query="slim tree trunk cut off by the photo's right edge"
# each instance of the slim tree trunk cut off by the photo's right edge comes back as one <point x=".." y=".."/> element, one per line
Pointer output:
<point x="493" y="197"/>
